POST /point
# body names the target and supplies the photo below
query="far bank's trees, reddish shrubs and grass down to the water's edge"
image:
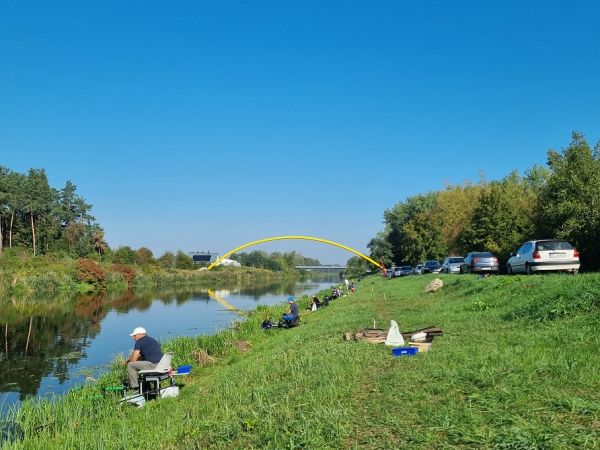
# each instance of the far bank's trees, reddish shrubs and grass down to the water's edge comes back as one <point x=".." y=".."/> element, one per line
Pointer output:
<point x="50" y="244"/>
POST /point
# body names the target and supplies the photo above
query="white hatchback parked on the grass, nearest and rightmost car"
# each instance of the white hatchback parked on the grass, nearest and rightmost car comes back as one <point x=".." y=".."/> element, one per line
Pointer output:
<point x="542" y="256"/>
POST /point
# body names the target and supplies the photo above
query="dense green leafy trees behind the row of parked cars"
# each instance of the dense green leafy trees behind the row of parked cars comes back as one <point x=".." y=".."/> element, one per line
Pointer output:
<point x="559" y="200"/>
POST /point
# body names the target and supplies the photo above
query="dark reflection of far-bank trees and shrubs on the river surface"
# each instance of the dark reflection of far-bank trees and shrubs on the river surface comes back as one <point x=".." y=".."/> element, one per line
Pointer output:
<point x="47" y="337"/>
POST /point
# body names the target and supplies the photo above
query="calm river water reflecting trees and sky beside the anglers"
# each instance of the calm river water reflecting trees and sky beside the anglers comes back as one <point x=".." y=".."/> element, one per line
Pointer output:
<point x="50" y="348"/>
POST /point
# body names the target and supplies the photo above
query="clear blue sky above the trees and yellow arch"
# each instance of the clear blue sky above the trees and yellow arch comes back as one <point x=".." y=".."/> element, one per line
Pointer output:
<point x="203" y="126"/>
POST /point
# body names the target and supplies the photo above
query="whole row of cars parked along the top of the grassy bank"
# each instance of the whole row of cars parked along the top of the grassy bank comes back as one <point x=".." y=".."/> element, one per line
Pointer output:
<point x="532" y="257"/>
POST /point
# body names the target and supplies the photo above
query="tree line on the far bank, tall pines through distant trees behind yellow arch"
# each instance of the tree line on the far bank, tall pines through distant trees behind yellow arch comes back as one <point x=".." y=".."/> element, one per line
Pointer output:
<point x="49" y="221"/>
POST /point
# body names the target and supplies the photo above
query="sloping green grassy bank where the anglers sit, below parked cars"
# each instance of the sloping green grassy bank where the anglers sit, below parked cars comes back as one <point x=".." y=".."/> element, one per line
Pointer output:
<point x="517" y="367"/>
